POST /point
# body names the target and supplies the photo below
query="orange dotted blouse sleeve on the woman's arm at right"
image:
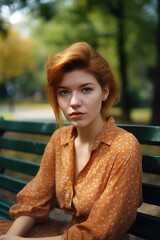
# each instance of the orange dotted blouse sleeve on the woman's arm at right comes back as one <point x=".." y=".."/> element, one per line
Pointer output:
<point x="114" y="212"/>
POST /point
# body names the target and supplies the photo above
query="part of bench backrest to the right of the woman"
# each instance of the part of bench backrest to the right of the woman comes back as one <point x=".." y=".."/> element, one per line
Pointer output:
<point x="147" y="224"/>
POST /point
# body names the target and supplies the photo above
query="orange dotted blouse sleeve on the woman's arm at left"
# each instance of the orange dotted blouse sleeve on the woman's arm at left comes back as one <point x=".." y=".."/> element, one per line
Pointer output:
<point x="36" y="199"/>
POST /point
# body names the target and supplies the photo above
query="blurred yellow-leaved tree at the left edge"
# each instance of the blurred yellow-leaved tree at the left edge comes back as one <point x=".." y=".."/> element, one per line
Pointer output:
<point x="16" y="55"/>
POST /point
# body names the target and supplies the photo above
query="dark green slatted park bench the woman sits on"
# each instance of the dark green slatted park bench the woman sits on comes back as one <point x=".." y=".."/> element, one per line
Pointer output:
<point x="22" y="138"/>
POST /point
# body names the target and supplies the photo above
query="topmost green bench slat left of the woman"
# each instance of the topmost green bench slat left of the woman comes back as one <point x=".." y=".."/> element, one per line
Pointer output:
<point x="28" y="127"/>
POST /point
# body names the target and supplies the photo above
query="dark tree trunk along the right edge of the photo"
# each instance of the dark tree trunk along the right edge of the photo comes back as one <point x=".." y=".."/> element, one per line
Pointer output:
<point x="156" y="98"/>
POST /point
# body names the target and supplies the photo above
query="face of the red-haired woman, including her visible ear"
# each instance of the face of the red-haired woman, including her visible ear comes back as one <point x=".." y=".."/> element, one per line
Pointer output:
<point x="80" y="98"/>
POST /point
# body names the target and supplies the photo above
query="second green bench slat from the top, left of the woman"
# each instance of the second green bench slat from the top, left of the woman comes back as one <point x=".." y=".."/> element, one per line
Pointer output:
<point x="23" y="146"/>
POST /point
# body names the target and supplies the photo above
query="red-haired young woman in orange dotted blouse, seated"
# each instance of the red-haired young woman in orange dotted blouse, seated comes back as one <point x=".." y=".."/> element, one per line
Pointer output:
<point x="91" y="168"/>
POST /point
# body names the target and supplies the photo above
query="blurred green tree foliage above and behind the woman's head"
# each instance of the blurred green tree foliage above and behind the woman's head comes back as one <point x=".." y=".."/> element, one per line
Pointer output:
<point x="123" y="31"/>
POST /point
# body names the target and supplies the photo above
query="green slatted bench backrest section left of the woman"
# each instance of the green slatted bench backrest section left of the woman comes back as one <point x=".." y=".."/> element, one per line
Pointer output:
<point x="21" y="143"/>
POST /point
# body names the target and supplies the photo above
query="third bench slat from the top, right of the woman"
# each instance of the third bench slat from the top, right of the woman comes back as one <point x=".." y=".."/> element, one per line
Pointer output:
<point x="151" y="194"/>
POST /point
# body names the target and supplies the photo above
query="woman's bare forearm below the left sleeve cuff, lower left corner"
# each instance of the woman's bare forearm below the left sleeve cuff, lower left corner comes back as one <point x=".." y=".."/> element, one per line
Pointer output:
<point x="21" y="226"/>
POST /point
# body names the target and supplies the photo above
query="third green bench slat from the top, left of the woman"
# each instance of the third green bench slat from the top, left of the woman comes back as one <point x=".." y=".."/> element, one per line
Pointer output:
<point x="18" y="165"/>
